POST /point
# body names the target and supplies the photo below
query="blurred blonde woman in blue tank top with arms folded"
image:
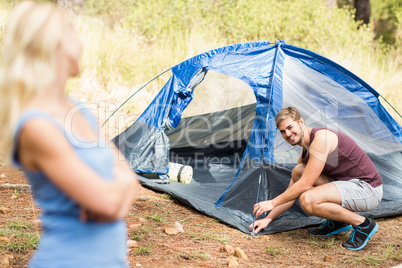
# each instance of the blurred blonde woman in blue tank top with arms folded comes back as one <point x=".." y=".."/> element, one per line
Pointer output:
<point x="82" y="188"/>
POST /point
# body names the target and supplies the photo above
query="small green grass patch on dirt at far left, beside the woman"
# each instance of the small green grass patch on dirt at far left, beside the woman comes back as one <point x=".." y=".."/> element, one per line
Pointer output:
<point x="22" y="237"/>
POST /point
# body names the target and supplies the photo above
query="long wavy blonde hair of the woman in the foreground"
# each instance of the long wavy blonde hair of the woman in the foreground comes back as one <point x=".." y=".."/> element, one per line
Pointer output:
<point x="32" y="38"/>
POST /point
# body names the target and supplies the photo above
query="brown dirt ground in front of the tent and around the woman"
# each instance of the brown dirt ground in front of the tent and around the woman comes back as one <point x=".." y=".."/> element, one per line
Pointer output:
<point x="203" y="237"/>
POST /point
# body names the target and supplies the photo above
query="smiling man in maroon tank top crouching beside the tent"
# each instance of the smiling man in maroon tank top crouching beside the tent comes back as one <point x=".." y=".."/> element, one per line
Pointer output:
<point x="333" y="179"/>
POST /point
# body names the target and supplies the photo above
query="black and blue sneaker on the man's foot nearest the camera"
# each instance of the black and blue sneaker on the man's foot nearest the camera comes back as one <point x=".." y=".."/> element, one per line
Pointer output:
<point x="360" y="236"/>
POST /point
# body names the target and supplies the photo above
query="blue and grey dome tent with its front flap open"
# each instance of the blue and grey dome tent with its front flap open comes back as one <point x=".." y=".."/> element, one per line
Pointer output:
<point x="230" y="149"/>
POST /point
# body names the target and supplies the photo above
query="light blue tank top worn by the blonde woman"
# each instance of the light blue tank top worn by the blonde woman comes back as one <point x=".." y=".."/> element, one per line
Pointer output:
<point x="66" y="241"/>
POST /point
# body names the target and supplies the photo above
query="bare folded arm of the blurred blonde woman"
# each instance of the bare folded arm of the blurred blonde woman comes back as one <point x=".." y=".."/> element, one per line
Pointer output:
<point x="43" y="147"/>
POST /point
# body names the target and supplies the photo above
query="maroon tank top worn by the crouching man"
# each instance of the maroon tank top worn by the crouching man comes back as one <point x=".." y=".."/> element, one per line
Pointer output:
<point x="348" y="161"/>
